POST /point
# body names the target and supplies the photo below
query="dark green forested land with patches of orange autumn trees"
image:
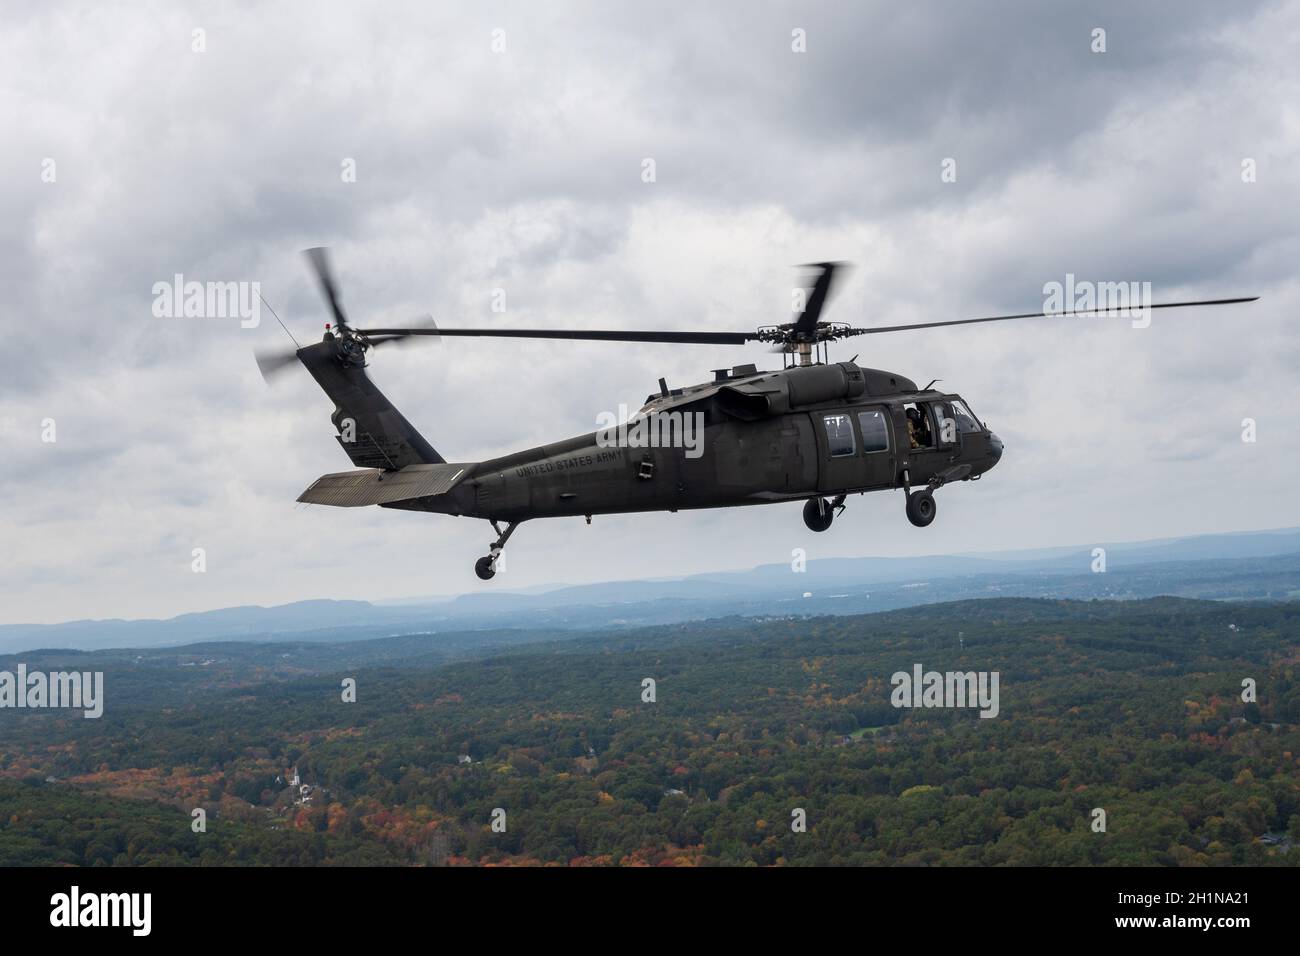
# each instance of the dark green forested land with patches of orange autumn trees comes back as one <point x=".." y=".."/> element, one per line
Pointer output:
<point x="1129" y="708"/>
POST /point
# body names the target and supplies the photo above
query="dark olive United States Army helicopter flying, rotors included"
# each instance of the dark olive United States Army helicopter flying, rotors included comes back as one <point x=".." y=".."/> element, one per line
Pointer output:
<point x="814" y="431"/>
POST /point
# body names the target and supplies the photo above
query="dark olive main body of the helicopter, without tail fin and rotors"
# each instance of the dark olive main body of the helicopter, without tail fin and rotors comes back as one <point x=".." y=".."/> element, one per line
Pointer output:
<point x="796" y="434"/>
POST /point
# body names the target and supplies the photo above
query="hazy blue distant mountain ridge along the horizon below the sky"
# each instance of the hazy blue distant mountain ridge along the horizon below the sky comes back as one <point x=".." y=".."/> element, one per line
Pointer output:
<point x="1243" y="565"/>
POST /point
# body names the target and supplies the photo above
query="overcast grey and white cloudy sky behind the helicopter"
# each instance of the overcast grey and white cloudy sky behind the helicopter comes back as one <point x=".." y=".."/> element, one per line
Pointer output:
<point x="522" y="170"/>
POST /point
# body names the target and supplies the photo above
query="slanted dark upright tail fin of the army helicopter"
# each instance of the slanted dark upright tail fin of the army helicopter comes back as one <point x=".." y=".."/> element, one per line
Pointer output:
<point x="371" y="431"/>
